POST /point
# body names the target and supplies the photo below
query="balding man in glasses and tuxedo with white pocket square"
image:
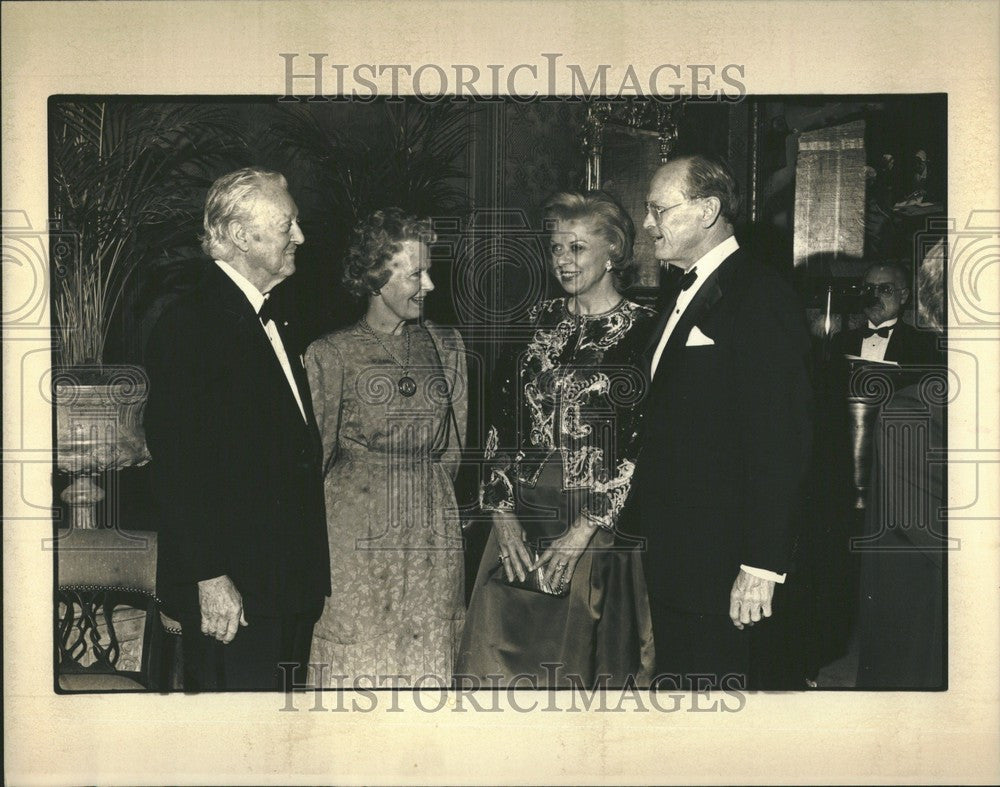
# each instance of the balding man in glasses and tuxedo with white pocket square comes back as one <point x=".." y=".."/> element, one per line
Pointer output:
<point x="725" y="435"/>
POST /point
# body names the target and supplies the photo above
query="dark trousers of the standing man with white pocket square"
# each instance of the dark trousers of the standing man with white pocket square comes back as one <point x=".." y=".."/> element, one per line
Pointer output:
<point x="696" y="651"/>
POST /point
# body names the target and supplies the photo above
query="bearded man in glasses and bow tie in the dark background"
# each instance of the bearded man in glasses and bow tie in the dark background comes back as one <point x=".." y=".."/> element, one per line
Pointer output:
<point x="886" y="337"/>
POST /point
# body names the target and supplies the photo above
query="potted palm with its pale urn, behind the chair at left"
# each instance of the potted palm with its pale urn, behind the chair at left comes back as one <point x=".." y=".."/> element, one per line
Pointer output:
<point x="126" y="188"/>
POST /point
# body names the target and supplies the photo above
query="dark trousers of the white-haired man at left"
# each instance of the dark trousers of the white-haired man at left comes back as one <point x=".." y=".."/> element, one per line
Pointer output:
<point x="251" y="661"/>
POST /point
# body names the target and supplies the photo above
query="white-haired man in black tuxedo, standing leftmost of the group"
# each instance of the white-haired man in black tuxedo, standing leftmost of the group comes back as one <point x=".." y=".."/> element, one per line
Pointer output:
<point x="243" y="561"/>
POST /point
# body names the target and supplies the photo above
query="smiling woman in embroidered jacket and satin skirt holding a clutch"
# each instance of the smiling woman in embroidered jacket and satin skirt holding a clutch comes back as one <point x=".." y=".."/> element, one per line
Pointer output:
<point x="561" y="451"/>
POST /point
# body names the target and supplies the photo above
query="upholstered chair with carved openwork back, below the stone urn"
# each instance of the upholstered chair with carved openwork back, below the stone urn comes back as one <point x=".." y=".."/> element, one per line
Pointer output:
<point x="100" y="576"/>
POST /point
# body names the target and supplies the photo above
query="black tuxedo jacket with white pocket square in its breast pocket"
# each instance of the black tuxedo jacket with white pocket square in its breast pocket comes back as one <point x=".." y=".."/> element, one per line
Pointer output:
<point x="725" y="440"/>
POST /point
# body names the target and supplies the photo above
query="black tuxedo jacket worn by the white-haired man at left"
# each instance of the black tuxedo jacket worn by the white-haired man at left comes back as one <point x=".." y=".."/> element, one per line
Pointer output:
<point x="236" y="469"/>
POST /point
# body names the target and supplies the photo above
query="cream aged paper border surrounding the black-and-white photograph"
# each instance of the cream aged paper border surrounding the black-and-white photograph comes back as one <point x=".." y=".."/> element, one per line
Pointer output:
<point x="232" y="48"/>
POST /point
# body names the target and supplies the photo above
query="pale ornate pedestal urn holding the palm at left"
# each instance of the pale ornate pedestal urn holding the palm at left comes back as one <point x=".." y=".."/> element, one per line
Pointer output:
<point x="98" y="428"/>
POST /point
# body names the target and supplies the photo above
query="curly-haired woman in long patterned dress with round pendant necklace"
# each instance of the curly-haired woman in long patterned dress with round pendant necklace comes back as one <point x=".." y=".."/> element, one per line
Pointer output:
<point x="389" y="395"/>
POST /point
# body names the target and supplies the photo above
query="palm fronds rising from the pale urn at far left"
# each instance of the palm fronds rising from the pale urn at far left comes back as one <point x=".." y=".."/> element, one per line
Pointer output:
<point x="125" y="178"/>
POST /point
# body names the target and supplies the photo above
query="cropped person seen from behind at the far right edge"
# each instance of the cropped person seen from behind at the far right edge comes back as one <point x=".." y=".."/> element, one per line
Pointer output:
<point x="904" y="546"/>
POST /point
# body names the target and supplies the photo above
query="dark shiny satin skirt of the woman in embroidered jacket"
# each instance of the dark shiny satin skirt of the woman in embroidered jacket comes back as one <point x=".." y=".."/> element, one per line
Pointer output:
<point x="600" y="631"/>
